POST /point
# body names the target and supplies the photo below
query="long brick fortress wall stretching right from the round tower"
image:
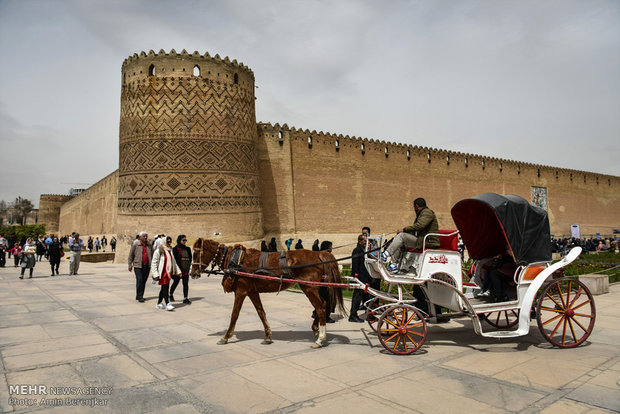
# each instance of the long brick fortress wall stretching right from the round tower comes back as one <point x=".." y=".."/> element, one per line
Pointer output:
<point x="315" y="182"/>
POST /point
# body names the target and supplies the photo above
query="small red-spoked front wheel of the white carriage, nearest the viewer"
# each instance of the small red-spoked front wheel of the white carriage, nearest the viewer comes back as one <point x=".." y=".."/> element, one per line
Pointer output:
<point x="401" y="329"/>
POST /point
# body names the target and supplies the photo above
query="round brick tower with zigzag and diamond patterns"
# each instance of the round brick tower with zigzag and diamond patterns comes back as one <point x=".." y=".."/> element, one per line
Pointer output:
<point x="188" y="161"/>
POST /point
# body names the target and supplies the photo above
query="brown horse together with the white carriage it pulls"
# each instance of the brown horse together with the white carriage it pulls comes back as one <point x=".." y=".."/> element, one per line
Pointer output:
<point x="429" y="280"/>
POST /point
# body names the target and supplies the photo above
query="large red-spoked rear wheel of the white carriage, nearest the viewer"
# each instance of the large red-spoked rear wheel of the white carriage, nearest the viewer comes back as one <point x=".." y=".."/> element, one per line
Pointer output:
<point x="566" y="313"/>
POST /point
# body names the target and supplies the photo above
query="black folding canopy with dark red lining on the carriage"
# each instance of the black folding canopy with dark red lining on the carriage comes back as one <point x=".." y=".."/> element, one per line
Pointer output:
<point x="488" y="222"/>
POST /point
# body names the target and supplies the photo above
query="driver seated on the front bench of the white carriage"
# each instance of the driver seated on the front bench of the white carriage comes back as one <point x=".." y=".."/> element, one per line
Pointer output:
<point x="412" y="237"/>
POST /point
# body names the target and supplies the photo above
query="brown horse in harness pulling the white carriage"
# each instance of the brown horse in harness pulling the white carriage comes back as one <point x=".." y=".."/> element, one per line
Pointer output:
<point x="320" y="263"/>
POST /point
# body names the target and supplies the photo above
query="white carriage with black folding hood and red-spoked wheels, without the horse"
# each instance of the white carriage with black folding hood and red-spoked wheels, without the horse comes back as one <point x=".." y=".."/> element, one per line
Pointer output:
<point x="490" y="225"/>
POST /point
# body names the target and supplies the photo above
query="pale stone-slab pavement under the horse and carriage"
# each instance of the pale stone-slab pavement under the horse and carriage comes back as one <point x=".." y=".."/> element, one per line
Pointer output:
<point x="88" y="338"/>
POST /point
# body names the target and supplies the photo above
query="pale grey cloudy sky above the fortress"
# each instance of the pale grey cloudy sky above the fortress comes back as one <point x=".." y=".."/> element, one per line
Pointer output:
<point x="523" y="80"/>
